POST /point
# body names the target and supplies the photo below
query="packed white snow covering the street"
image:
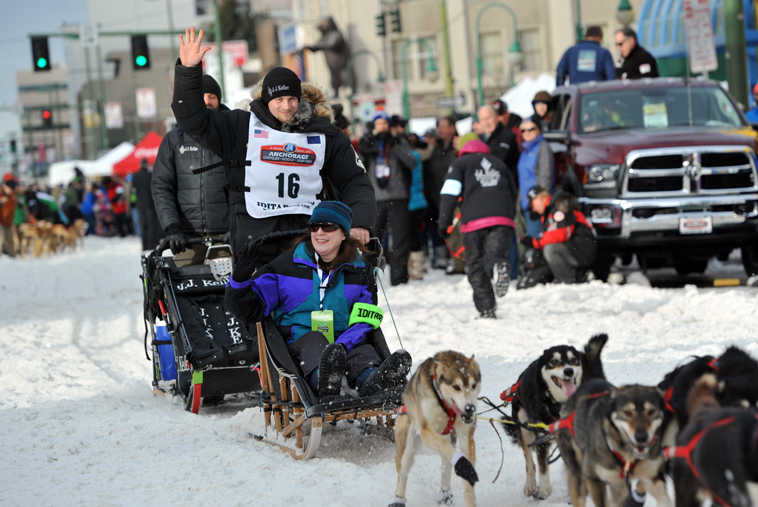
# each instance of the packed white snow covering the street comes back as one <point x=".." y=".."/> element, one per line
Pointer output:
<point x="80" y="425"/>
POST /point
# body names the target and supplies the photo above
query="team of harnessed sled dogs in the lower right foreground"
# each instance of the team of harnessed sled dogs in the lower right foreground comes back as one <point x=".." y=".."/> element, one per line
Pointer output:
<point x="698" y="427"/>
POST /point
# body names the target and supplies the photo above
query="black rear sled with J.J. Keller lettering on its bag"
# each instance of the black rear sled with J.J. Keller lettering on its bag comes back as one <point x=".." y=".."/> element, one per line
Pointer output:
<point x="200" y="351"/>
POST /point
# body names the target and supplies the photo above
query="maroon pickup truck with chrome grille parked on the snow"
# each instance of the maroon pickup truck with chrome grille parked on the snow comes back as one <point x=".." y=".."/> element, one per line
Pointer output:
<point x="665" y="170"/>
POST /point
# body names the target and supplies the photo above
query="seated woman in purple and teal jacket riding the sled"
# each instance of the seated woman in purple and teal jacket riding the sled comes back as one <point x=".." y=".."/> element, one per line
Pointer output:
<point x="320" y="298"/>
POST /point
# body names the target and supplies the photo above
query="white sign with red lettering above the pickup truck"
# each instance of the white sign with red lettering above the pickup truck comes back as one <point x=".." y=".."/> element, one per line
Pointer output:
<point x="700" y="47"/>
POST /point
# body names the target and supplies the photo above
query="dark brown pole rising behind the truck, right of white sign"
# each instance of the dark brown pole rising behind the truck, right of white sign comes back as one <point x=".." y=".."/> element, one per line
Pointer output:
<point x="736" y="58"/>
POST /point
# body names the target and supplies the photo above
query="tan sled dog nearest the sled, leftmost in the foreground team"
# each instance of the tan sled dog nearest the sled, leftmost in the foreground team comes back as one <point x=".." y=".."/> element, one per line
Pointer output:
<point x="440" y="407"/>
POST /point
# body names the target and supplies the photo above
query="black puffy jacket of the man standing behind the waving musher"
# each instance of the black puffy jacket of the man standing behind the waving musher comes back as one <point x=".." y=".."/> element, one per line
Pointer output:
<point x="196" y="204"/>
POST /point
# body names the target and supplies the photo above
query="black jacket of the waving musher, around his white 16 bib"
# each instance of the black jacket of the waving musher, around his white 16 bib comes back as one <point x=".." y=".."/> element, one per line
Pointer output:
<point x="226" y="134"/>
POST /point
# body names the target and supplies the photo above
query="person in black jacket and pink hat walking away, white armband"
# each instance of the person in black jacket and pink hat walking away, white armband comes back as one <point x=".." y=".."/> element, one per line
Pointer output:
<point x="487" y="212"/>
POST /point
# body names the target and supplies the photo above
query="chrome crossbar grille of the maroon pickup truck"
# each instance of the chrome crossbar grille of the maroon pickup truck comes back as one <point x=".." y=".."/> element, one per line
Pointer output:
<point x="689" y="170"/>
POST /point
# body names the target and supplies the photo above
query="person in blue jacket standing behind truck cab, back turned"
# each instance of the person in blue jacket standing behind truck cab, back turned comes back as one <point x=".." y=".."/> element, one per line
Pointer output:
<point x="586" y="61"/>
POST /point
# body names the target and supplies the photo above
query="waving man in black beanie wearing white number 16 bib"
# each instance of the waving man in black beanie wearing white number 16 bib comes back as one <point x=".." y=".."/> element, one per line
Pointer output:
<point x="282" y="156"/>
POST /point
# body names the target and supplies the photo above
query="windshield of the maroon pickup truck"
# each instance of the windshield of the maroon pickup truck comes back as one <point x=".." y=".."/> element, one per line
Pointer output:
<point x="653" y="108"/>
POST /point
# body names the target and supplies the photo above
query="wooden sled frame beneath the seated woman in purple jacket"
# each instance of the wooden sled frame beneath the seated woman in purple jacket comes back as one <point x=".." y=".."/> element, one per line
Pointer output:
<point x="295" y="413"/>
